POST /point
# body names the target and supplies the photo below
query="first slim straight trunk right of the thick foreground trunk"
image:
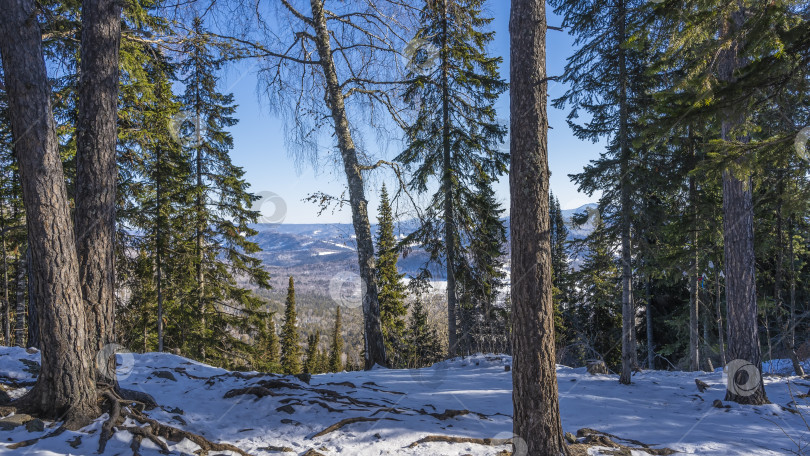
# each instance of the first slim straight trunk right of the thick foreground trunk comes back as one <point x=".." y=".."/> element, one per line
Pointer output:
<point x="629" y="357"/>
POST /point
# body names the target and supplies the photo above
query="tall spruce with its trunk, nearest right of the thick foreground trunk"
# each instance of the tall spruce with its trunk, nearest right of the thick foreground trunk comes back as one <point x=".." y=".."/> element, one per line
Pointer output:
<point x="605" y="78"/>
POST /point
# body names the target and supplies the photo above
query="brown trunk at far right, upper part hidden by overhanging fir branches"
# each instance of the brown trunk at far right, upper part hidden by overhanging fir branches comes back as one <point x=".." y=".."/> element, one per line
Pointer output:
<point x="745" y="384"/>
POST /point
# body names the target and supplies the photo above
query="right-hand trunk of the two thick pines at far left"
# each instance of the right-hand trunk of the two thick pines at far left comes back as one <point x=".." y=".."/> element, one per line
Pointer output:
<point x="96" y="170"/>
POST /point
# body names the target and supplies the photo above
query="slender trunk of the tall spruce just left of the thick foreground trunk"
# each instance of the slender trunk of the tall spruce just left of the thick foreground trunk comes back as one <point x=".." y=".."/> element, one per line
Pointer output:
<point x="447" y="187"/>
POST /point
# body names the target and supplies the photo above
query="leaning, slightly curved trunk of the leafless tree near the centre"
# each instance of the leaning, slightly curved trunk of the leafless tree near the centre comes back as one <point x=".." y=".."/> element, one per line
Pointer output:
<point x="374" y="345"/>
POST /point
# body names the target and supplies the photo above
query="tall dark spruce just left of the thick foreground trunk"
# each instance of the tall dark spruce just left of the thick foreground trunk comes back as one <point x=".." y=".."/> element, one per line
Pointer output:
<point x="456" y="131"/>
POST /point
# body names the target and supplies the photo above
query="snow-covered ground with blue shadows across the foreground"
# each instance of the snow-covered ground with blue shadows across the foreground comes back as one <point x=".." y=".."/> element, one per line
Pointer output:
<point x="663" y="409"/>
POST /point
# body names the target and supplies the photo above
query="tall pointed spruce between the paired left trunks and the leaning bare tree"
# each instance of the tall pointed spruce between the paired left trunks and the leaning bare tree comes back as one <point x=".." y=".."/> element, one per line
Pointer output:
<point x="220" y="209"/>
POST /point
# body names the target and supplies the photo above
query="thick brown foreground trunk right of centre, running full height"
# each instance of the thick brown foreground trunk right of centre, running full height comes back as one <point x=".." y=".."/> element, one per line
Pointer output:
<point x="535" y="395"/>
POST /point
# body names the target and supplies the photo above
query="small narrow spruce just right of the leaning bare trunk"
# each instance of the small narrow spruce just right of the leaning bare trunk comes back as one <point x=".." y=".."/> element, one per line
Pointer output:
<point x="391" y="288"/>
